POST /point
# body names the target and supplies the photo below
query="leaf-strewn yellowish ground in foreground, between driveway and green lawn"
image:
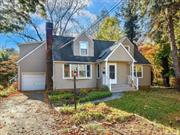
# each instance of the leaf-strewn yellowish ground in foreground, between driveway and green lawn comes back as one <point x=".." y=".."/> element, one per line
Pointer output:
<point x="90" y="119"/>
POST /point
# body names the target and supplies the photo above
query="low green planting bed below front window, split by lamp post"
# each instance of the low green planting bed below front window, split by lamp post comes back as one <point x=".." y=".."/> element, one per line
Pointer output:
<point x="64" y="98"/>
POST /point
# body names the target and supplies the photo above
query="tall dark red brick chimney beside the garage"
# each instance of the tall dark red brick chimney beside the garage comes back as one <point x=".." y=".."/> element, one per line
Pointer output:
<point x="49" y="68"/>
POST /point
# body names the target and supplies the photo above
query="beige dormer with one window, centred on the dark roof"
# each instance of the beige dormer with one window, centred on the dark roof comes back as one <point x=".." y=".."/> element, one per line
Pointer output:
<point x="83" y="45"/>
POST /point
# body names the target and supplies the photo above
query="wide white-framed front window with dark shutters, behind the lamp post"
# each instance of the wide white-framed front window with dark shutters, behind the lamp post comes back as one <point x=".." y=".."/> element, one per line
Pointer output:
<point x="83" y="71"/>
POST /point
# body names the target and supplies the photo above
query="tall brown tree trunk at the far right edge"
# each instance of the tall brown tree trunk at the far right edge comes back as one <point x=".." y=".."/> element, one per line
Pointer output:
<point x="172" y="41"/>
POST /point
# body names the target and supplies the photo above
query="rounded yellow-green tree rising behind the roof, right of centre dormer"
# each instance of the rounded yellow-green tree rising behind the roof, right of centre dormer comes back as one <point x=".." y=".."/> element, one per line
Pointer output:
<point x="109" y="29"/>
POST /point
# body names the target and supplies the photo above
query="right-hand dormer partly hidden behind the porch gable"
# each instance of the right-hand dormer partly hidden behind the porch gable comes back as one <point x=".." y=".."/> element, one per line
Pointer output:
<point x="128" y="45"/>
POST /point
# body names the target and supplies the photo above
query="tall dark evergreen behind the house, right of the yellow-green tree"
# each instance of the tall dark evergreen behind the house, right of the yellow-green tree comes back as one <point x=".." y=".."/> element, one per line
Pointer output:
<point x="130" y="17"/>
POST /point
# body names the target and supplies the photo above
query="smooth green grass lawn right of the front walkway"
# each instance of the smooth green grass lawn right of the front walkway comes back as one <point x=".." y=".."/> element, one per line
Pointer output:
<point x="160" y="105"/>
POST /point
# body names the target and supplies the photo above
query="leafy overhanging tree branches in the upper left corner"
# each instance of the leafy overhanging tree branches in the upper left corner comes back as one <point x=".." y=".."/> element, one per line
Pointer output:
<point x="14" y="14"/>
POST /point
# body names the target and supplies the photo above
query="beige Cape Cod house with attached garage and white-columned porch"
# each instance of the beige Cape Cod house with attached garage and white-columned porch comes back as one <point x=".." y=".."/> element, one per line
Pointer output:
<point x="119" y="65"/>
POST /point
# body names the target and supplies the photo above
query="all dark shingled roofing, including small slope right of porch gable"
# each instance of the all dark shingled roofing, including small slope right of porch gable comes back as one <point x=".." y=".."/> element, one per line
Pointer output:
<point x="102" y="49"/>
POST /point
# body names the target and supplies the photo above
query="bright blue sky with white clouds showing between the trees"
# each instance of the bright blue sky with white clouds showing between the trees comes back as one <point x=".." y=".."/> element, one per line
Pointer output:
<point x="87" y="17"/>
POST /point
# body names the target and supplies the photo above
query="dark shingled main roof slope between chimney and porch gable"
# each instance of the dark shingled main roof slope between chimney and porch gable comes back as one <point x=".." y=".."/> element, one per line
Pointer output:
<point x="66" y="53"/>
